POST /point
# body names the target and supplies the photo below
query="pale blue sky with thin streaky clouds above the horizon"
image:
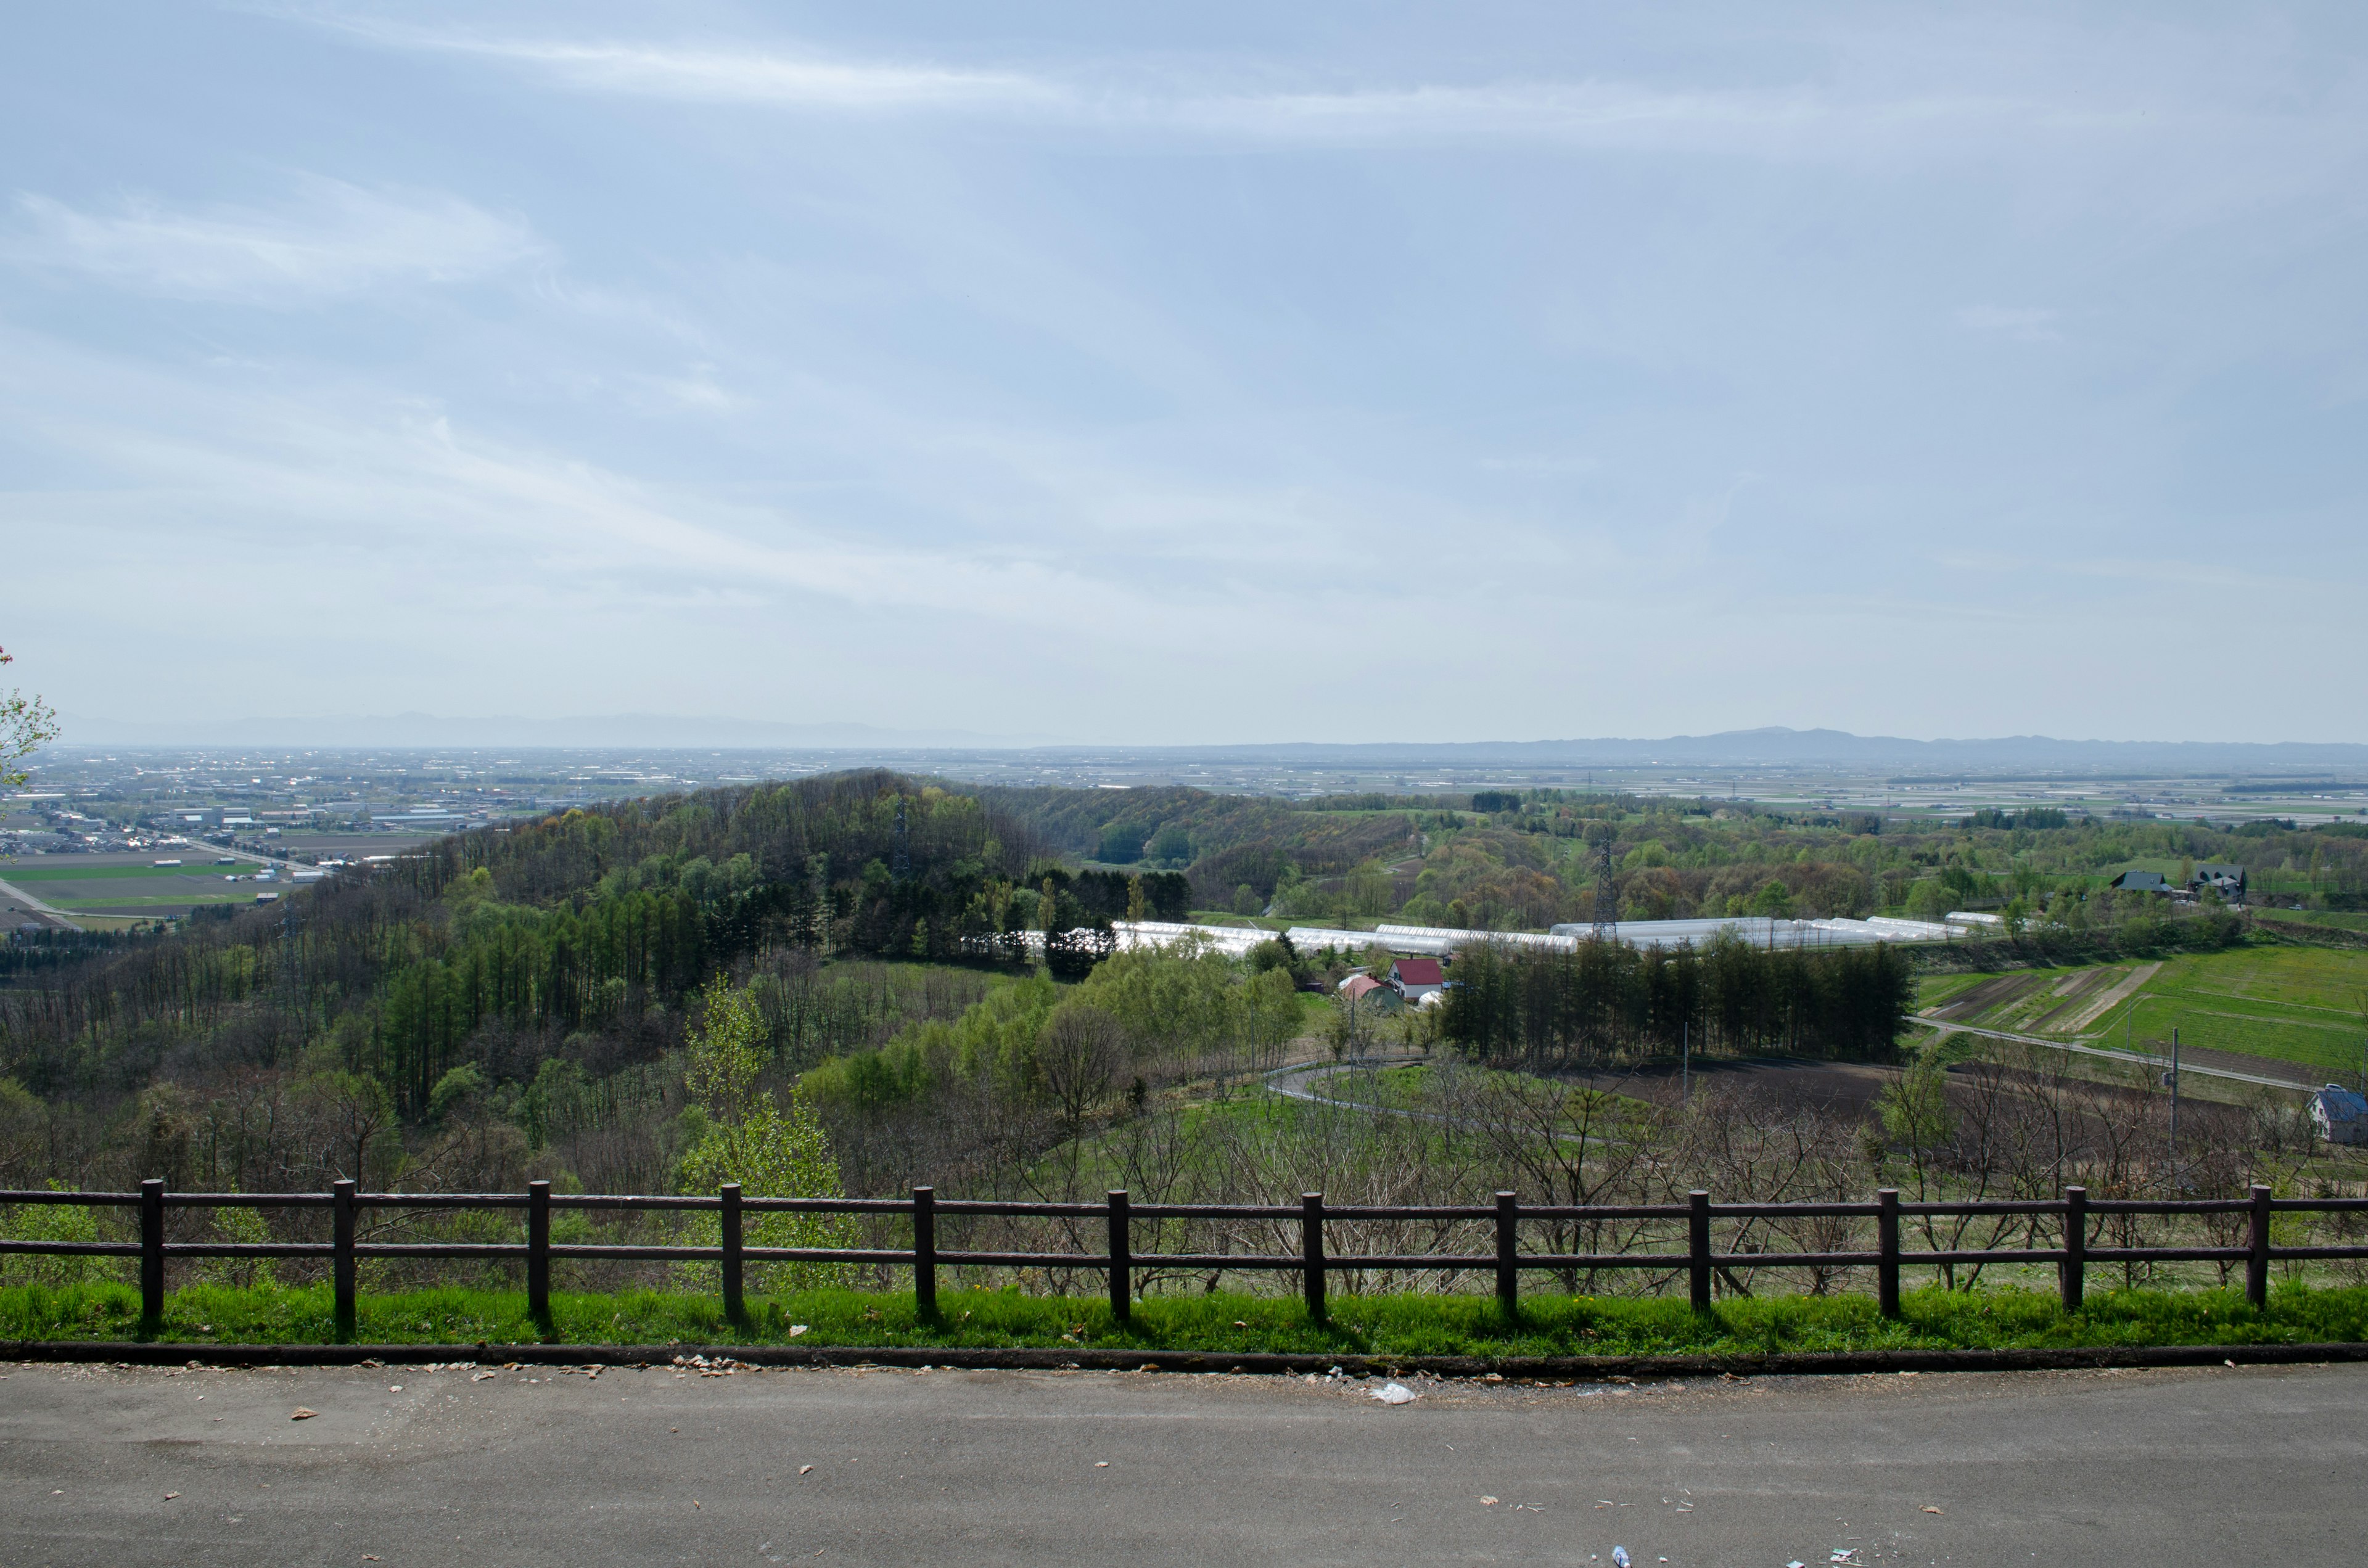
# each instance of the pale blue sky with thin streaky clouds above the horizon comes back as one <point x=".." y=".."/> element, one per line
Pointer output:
<point x="1192" y="373"/>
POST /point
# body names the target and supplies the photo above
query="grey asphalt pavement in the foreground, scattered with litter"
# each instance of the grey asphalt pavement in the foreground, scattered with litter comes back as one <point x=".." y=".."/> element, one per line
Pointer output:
<point x="2161" y="1470"/>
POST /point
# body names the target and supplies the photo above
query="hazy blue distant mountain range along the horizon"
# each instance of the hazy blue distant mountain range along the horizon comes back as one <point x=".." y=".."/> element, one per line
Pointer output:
<point x="1768" y="747"/>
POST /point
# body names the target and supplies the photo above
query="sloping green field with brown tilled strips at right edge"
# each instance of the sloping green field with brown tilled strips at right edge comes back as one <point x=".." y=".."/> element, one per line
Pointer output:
<point x="2296" y="1005"/>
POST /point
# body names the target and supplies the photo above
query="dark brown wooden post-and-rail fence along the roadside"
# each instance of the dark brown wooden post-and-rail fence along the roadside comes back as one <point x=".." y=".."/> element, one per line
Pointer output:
<point x="2071" y="1221"/>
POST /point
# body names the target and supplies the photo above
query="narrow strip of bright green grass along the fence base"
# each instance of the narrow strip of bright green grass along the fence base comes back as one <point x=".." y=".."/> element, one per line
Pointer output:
<point x="1360" y="1325"/>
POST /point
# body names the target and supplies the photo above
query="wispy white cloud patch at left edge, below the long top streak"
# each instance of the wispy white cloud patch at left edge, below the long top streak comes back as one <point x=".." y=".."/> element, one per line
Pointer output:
<point x="328" y="240"/>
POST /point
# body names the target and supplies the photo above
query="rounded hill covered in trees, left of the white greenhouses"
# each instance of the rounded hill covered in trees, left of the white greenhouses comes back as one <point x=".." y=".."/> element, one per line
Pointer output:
<point x="501" y="944"/>
